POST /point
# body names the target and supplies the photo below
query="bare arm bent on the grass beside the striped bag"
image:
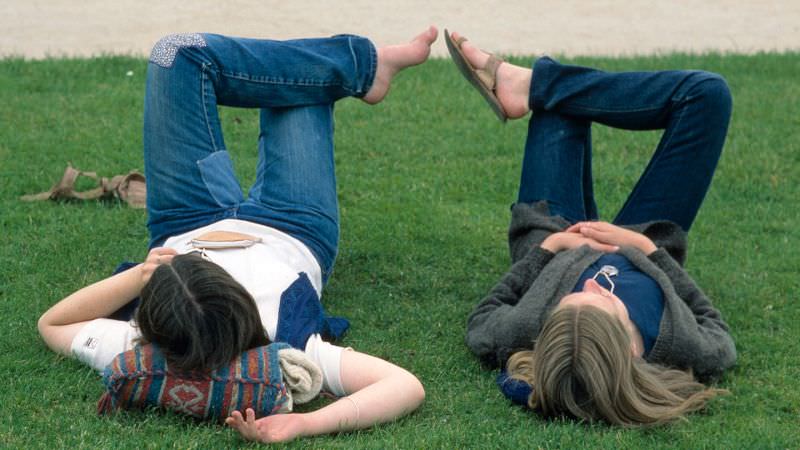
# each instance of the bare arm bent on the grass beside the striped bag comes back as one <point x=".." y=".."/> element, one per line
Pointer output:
<point x="379" y="392"/>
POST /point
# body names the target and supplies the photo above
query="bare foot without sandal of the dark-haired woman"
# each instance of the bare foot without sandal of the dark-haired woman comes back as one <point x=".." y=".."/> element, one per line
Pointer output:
<point x="394" y="58"/>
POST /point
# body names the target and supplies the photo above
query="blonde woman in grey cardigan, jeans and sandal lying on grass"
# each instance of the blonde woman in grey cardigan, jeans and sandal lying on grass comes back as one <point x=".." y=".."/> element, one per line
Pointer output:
<point x="597" y="320"/>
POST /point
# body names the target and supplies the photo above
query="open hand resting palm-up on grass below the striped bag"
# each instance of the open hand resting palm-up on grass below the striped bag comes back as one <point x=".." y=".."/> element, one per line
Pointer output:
<point x="274" y="428"/>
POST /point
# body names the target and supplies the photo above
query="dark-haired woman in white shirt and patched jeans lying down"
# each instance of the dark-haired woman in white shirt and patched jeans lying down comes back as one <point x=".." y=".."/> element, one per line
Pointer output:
<point x="224" y="271"/>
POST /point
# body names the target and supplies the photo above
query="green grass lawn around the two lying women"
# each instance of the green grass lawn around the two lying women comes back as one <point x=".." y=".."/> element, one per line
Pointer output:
<point x="426" y="179"/>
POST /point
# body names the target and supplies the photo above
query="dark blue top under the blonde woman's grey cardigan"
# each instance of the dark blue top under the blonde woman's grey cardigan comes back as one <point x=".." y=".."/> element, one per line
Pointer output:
<point x="640" y="294"/>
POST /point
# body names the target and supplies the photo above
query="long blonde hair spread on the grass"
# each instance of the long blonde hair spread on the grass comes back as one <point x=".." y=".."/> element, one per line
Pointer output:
<point x="582" y="366"/>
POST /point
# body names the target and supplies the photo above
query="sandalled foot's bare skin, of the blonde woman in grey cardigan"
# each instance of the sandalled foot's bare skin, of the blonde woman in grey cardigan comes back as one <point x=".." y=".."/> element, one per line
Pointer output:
<point x="513" y="82"/>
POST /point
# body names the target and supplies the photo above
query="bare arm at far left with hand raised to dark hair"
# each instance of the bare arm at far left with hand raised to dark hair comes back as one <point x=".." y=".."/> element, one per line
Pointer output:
<point x="59" y="324"/>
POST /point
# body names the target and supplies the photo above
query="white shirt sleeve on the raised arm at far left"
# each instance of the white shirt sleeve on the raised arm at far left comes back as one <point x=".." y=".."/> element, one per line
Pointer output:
<point x="100" y="340"/>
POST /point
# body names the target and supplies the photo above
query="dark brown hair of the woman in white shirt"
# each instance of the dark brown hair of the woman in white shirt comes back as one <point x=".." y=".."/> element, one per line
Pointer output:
<point x="198" y="315"/>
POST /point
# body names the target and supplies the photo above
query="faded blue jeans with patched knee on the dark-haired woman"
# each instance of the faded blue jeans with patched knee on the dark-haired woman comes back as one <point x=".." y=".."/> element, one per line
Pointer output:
<point x="190" y="177"/>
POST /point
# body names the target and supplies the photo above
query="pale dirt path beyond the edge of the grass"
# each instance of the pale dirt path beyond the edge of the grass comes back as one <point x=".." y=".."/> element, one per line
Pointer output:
<point x="37" y="28"/>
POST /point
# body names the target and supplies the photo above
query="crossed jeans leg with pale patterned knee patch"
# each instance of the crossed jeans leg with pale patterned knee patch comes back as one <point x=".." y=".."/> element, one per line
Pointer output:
<point x="190" y="179"/>
